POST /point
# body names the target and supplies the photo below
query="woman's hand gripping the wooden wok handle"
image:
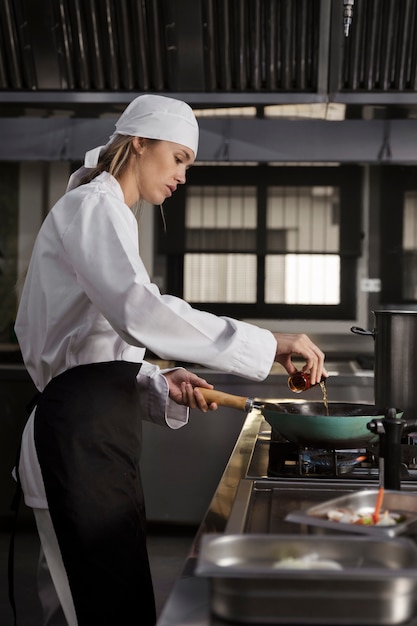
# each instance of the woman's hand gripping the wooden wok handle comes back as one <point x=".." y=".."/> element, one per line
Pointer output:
<point x="182" y="389"/>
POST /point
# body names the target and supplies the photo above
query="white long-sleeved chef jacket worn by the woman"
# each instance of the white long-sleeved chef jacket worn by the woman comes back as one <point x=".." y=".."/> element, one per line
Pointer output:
<point x="88" y="298"/>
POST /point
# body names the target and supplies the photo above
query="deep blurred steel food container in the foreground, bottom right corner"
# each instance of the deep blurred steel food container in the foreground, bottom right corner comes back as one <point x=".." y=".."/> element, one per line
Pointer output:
<point x="376" y="582"/>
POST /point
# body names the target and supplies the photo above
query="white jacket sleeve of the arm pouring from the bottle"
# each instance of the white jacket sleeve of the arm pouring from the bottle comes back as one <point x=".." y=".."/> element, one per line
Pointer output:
<point x="101" y="244"/>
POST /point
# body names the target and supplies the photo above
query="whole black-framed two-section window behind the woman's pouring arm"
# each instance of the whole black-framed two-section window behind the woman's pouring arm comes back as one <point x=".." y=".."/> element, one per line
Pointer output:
<point x="265" y="241"/>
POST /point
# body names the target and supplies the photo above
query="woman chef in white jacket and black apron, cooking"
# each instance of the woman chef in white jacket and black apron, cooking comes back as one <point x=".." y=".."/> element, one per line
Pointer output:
<point x="87" y="313"/>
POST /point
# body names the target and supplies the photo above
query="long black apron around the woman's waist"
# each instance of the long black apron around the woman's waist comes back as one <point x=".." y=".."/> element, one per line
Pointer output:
<point x="88" y="439"/>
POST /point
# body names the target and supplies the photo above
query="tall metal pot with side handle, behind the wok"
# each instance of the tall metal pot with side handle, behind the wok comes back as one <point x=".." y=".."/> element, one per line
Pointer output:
<point x="395" y="368"/>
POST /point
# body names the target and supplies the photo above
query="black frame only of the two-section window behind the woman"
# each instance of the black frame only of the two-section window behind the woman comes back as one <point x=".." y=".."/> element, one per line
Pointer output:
<point x="348" y="178"/>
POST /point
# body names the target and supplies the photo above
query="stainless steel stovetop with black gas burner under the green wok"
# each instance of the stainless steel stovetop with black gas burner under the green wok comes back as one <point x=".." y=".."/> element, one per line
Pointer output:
<point x="263" y="500"/>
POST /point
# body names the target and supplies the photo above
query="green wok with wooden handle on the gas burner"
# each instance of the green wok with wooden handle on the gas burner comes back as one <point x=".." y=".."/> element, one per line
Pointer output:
<point x="306" y="423"/>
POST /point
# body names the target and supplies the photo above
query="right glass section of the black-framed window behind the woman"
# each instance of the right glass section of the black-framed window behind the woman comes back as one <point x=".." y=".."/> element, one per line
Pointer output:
<point x="302" y="233"/>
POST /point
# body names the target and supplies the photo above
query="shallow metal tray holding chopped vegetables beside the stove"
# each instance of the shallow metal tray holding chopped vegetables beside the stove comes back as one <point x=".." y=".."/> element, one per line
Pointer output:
<point x="363" y="502"/>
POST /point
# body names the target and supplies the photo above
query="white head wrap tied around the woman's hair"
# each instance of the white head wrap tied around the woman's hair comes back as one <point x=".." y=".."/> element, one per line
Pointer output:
<point x="152" y="117"/>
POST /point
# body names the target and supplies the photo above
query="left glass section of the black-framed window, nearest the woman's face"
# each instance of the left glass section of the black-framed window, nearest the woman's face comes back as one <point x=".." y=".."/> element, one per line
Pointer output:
<point x="220" y="226"/>
